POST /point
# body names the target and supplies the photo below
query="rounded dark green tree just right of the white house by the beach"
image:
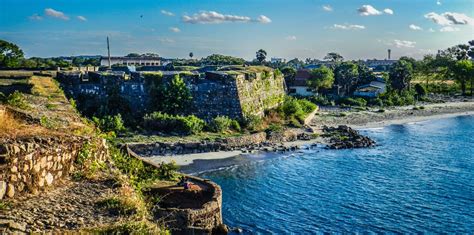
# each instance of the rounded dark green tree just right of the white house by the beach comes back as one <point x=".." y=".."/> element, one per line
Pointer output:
<point x="401" y="74"/>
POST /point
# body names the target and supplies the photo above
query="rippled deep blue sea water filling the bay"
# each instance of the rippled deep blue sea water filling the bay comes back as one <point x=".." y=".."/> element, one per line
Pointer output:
<point x="419" y="179"/>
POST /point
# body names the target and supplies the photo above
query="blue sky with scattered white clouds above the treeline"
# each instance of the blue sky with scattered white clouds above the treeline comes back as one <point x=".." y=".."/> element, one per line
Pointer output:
<point x="284" y="28"/>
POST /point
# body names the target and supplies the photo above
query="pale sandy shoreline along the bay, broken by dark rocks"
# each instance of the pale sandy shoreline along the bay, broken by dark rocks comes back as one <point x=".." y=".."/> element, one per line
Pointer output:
<point x="199" y="162"/>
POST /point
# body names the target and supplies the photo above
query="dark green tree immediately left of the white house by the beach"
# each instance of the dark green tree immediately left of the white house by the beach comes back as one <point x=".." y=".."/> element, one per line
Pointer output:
<point x="346" y="77"/>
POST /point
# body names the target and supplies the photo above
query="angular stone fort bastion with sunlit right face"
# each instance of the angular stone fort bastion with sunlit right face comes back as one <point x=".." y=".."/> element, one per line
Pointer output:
<point x="234" y="91"/>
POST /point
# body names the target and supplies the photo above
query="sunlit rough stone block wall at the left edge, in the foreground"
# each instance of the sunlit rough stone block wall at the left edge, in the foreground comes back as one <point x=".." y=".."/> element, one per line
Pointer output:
<point x="35" y="164"/>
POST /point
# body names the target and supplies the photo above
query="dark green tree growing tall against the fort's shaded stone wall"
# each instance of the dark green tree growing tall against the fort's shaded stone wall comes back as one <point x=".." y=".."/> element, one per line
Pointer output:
<point x="177" y="96"/>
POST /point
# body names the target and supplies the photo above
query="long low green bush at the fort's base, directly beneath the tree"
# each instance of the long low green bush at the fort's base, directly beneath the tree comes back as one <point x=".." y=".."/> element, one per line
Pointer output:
<point x="158" y="121"/>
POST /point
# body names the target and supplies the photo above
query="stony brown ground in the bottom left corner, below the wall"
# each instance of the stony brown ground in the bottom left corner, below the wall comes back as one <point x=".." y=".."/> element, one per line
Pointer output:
<point x="65" y="208"/>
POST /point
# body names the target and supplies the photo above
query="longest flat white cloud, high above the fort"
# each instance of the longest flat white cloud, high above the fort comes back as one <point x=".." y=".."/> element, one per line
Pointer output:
<point x="212" y="17"/>
